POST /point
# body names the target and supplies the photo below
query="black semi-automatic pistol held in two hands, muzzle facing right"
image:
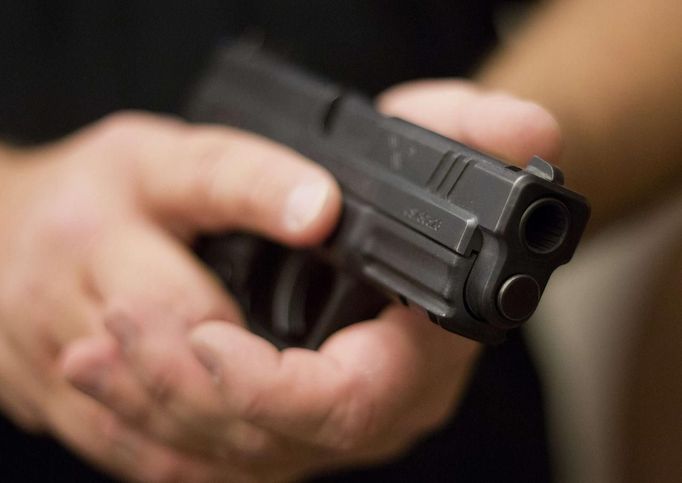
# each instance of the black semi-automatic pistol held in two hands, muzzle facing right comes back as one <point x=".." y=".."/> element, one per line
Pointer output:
<point x="426" y="220"/>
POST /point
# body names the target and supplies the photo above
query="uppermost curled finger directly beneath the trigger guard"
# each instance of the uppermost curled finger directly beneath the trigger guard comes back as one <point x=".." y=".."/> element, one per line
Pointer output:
<point x="329" y="398"/>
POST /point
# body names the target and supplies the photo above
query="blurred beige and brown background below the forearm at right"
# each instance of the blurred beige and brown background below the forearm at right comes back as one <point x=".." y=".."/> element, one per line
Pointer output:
<point x="608" y="341"/>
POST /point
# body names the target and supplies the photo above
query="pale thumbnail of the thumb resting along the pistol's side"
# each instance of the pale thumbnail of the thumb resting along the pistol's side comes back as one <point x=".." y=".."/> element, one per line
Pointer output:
<point x="305" y="203"/>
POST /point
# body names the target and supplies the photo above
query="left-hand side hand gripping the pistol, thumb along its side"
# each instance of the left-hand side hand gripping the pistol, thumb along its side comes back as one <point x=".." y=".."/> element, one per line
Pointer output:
<point x="93" y="227"/>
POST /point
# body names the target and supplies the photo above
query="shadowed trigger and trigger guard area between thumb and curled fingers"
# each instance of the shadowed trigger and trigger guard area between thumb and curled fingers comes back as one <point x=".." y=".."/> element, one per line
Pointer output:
<point x="291" y="298"/>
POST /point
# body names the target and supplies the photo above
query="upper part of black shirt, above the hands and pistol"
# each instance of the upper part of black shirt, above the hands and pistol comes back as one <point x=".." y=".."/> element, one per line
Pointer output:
<point x="66" y="63"/>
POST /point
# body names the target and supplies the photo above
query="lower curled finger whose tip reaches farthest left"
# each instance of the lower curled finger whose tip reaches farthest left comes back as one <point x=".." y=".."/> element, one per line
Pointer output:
<point x="234" y="446"/>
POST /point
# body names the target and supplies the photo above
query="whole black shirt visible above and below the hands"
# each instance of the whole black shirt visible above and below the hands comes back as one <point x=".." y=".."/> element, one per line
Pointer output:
<point x="64" y="64"/>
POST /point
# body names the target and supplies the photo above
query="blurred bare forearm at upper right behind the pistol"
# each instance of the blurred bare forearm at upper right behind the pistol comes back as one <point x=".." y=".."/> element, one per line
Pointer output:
<point x="610" y="71"/>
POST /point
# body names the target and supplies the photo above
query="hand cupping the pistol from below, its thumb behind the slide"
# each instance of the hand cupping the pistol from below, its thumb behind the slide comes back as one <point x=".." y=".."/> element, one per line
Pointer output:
<point x="370" y="391"/>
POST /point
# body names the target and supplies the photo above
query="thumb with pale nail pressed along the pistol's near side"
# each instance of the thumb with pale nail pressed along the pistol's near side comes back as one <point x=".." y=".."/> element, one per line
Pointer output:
<point x="219" y="178"/>
